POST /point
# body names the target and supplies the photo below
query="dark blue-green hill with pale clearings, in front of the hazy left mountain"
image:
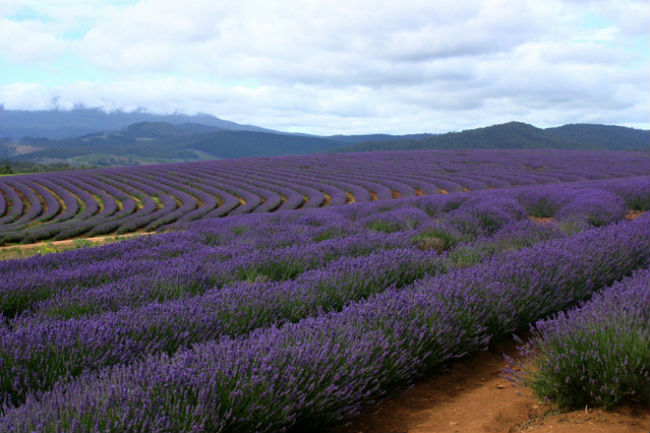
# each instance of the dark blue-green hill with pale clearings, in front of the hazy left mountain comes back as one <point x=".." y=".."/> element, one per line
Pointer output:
<point x="158" y="142"/>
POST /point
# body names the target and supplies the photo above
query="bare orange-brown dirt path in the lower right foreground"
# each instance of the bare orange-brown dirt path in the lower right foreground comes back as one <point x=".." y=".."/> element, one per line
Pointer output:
<point x="471" y="397"/>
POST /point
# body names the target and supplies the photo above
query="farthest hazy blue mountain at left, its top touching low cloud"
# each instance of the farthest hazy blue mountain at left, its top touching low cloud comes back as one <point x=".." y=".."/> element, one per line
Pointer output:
<point x="57" y="124"/>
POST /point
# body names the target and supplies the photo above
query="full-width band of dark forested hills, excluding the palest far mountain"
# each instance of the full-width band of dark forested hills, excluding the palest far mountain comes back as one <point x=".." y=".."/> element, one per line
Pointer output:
<point x="160" y="142"/>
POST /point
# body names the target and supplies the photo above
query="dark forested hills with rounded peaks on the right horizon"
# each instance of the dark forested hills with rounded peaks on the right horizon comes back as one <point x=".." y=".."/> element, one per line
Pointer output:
<point x="517" y="135"/>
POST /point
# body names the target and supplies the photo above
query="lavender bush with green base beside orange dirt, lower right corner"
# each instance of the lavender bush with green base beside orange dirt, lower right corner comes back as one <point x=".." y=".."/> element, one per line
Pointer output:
<point x="596" y="354"/>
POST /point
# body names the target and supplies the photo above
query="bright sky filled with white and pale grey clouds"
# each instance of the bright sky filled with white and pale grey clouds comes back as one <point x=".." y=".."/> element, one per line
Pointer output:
<point x="334" y="66"/>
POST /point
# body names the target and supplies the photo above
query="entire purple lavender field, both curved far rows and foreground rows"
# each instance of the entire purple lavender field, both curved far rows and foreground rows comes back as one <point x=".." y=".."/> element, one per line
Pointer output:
<point x="288" y="294"/>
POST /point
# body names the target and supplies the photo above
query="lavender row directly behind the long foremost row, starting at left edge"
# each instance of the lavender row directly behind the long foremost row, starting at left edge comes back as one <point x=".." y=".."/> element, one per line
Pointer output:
<point x="124" y="336"/>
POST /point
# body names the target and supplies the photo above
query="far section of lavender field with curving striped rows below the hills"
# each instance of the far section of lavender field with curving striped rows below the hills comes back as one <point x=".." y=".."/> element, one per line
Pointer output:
<point x="94" y="202"/>
